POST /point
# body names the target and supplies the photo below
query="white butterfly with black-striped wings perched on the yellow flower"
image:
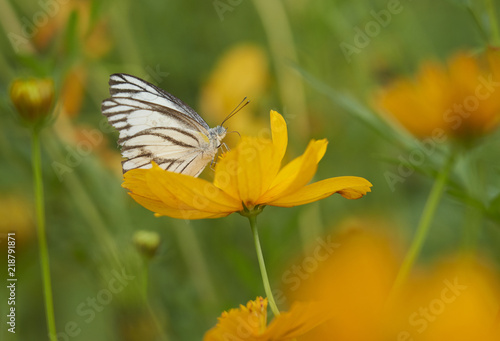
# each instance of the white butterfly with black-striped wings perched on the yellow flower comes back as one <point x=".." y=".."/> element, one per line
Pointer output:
<point x="157" y="126"/>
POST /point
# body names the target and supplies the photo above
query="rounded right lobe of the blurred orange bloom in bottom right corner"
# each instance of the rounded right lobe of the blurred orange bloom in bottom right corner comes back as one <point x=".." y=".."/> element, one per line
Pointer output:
<point x="456" y="300"/>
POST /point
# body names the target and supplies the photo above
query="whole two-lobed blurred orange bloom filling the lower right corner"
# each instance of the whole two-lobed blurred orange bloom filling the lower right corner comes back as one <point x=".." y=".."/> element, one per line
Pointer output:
<point x="456" y="300"/>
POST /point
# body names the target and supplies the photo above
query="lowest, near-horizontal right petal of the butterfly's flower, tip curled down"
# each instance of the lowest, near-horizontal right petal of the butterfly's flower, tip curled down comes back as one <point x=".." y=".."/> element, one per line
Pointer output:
<point x="350" y="187"/>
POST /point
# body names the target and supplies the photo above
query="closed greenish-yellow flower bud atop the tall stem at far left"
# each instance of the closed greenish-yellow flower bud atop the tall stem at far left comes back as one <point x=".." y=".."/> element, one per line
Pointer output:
<point x="33" y="98"/>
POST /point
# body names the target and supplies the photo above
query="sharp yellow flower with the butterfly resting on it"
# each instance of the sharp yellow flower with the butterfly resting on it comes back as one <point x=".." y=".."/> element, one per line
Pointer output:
<point x="247" y="178"/>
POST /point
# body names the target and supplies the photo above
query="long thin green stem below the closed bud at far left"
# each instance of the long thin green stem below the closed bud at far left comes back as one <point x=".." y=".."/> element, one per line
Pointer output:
<point x="42" y="240"/>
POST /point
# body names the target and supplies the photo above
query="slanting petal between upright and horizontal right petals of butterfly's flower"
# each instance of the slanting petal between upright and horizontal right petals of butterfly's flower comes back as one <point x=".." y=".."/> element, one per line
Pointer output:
<point x="297" y="173"/>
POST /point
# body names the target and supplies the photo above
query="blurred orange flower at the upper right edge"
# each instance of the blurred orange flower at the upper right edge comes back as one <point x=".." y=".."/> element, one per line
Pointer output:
<point x="459" y="100"/>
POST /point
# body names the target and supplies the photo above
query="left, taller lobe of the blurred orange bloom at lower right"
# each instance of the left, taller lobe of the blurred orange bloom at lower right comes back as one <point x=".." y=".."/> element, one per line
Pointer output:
<point x="353" y="281"/>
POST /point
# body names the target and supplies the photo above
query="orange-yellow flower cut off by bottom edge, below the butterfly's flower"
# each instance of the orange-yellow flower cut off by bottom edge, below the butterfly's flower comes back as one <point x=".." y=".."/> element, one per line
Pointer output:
<point x="249" y="323"/>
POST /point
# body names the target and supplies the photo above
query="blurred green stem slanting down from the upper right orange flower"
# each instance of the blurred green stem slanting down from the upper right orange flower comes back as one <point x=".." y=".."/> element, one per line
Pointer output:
<point x="424" y="224"/>
